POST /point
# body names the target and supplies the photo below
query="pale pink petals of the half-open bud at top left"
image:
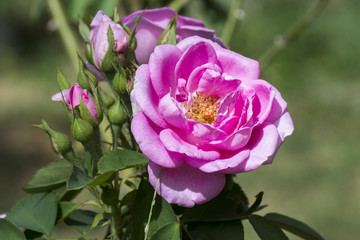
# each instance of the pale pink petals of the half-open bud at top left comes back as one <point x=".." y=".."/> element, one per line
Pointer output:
<point x="98" y="38"/>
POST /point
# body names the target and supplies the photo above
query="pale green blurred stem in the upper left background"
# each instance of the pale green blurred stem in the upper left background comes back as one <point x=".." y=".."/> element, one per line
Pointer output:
<point x="66" y="34"/>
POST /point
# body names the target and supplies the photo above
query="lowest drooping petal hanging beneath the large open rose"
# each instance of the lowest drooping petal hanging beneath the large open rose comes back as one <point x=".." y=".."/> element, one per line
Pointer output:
<point x="185" y="186"/>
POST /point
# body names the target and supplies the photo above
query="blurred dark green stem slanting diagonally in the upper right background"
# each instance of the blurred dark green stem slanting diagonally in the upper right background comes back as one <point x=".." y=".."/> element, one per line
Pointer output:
<point x="293" y="32"/>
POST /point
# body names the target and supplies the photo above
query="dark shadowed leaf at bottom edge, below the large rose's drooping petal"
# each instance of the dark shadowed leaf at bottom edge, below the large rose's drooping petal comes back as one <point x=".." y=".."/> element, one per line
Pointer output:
<point x="229" y="230"/>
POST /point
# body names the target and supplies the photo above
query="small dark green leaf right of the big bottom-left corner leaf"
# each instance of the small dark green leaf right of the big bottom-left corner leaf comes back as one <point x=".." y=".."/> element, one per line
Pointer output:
<point x="80" y="220"/>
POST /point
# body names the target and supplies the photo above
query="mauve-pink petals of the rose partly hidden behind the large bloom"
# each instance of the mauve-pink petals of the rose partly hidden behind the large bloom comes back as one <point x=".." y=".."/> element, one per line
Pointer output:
<point x="154" y="21"/>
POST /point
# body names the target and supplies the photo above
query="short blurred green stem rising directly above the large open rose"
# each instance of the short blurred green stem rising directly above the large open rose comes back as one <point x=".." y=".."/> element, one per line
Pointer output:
<point x="231" y="21"/>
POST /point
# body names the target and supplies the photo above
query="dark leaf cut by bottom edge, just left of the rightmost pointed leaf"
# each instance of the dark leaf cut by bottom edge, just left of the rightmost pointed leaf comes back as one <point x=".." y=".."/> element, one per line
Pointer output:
<point x="265" y="229"/>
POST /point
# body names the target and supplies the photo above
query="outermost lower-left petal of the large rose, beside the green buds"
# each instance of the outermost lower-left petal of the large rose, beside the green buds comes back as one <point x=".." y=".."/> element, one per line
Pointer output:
<point x="147" y="136"/>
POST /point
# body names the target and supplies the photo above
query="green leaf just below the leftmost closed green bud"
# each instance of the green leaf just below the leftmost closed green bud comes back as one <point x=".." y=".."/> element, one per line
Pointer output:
<point x="49" y="177"/>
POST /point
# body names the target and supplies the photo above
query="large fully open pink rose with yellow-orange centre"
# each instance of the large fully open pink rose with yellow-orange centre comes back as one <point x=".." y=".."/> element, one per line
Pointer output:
<point x="201" y="113"/>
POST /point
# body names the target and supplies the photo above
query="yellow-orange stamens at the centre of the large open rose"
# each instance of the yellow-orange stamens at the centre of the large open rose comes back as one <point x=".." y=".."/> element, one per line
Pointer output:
<point x="204" y="109"/>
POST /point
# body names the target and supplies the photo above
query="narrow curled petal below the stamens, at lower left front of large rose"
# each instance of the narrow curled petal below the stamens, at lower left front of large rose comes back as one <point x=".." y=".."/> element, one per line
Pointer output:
<point x="174" y="143"/>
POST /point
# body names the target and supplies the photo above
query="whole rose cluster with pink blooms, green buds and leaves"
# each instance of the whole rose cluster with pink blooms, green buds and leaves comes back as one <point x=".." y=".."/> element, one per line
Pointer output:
<point x="183" y="114"/>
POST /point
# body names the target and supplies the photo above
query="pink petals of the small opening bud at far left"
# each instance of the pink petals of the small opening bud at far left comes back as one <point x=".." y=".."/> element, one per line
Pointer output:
<point x="72" y="98"/>
